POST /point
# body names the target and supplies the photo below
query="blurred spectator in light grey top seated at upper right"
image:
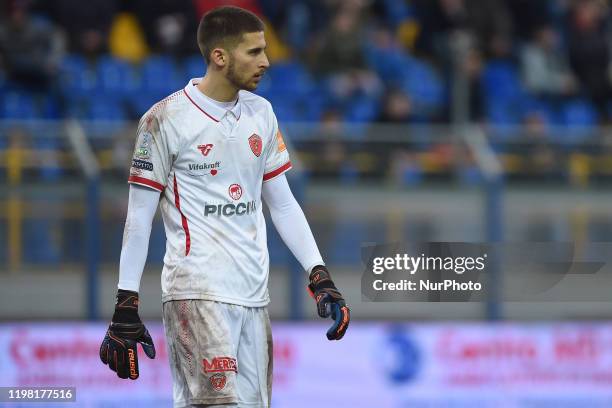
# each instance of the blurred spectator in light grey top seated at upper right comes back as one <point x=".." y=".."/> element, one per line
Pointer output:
<point x="544" y="67"/>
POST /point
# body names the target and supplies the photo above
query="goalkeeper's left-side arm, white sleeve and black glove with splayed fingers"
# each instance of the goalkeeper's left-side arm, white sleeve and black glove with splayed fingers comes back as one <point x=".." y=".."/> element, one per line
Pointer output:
<point x="118" y="349"/>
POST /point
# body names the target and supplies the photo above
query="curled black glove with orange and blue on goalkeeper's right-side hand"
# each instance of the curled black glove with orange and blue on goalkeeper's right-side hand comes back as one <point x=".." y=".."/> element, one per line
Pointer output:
<point x="329" y="302"/>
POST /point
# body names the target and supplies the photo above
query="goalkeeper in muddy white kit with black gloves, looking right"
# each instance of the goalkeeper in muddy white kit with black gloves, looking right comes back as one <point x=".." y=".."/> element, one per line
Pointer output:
<point x="207" y="155"/>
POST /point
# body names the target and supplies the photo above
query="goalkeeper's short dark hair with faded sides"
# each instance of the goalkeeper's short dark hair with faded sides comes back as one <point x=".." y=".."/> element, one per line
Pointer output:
<point x="225" y="26"/>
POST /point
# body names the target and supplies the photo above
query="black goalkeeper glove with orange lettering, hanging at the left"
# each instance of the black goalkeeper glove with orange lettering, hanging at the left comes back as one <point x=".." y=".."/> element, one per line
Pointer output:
<point x="118" y="348"/>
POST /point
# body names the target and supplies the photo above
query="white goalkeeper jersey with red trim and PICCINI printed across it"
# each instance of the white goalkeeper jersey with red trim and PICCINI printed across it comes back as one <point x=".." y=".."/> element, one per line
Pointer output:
<point x="210" y="163"/>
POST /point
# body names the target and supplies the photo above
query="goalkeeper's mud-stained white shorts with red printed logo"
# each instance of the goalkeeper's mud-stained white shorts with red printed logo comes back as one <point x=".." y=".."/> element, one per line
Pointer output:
<point x="219" y="353"/>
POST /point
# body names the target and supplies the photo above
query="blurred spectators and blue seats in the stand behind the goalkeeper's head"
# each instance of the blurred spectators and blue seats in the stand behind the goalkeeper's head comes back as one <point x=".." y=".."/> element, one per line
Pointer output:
<point x="519" y="61"/>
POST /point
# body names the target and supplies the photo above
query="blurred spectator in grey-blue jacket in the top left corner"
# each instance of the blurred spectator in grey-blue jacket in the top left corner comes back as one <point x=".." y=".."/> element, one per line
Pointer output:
<point x="30" y="50"/>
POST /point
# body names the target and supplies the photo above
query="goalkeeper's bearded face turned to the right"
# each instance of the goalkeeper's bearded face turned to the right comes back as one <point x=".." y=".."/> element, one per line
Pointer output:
<point x="248" y="61"/>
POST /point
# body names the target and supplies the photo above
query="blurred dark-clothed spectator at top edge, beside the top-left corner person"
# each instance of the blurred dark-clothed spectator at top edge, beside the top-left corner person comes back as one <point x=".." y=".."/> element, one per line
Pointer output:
<point x="87" y="23"/>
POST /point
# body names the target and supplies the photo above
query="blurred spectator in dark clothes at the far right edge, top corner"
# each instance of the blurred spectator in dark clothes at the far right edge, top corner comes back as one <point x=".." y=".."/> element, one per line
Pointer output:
<point x="589" y="52"/>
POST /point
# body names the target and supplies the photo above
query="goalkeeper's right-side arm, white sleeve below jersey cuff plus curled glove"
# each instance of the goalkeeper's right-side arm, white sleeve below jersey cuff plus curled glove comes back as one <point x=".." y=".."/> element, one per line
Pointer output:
<point x="291" y="224"/>
